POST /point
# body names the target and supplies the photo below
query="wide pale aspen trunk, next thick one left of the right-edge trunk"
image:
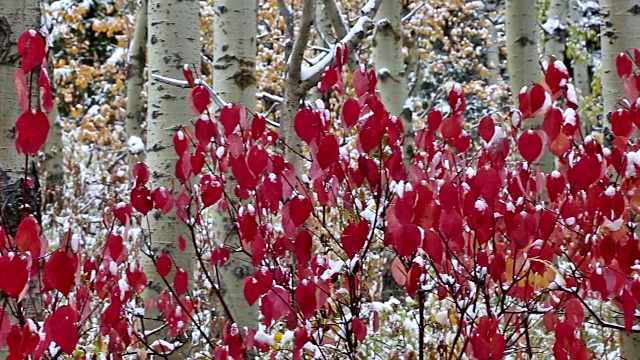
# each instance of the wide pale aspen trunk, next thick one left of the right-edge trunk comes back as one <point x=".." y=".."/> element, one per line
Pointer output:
<point x="522" y="52"/>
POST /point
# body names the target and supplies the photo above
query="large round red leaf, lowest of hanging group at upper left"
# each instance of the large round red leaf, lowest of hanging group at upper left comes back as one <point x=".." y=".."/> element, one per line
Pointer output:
<point x="32" y="129"/>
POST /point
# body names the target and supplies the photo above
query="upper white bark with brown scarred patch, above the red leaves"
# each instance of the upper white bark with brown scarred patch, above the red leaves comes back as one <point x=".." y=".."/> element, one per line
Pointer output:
<point x="234" y="51"/>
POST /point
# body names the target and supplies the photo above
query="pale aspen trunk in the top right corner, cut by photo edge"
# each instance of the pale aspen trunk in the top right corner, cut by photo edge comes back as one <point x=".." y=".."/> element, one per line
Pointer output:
<point x="620" y="31"/>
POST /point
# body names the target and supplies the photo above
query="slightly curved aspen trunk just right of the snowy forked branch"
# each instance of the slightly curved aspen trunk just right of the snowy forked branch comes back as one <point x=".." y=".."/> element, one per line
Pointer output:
<point x="389" y="64"/>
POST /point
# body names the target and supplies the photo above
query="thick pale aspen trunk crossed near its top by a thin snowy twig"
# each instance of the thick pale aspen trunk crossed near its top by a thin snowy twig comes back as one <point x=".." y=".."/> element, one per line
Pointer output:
<point x="173" y="41"/>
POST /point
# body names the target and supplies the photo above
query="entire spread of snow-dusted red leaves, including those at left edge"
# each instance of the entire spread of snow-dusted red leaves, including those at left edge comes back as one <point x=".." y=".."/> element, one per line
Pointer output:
<point x="465" y="221"/>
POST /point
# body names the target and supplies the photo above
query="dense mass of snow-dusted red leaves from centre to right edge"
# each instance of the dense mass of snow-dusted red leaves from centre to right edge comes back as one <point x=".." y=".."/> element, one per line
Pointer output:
<point x="465" y="223"/>
